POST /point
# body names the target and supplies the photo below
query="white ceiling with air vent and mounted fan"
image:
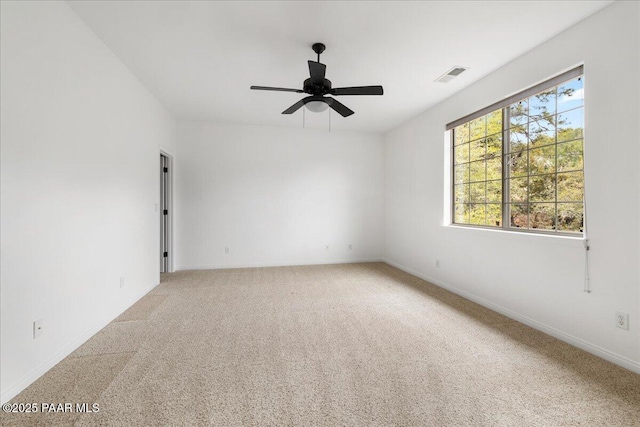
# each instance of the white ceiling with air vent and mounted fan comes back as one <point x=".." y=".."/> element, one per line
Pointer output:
<point x="199" y="58"/>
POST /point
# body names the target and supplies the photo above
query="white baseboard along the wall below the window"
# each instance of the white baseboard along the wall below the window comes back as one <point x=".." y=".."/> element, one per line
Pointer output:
<point x="569" y="339"/>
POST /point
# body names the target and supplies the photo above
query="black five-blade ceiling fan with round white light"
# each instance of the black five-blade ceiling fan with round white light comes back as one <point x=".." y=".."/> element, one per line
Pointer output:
<point x="318" y="87"/>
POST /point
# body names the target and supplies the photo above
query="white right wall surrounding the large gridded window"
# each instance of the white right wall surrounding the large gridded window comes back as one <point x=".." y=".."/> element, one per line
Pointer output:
<point x="538" y="279"/>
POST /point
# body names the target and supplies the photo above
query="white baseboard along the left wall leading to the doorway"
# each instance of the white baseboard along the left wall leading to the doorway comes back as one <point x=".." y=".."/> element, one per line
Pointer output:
<point x="14" y="389"/>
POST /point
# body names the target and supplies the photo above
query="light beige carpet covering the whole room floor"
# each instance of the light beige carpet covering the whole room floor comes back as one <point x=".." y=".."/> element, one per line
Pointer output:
<point x="355" y="344"/>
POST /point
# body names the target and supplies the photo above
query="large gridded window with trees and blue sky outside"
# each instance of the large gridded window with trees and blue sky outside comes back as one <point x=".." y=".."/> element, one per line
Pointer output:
<point x="518" y="164"/>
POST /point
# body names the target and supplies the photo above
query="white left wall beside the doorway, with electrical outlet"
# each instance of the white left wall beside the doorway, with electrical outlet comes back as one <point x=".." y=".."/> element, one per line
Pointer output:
<point x="80" y="153"/>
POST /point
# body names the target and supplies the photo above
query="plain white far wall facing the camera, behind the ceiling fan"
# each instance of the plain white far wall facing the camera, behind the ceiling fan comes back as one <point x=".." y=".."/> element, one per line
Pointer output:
<point x="276" y="196"/>
